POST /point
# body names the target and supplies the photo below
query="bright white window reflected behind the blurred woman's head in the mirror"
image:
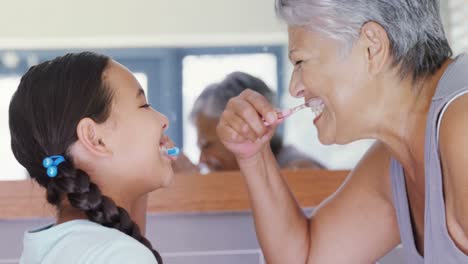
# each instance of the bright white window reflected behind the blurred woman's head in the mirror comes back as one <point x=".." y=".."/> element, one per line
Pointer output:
<point x="202" y="70"/>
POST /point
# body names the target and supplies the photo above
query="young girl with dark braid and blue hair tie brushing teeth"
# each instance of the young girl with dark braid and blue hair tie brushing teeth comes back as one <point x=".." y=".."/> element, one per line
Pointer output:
<point x="82" y="127"/>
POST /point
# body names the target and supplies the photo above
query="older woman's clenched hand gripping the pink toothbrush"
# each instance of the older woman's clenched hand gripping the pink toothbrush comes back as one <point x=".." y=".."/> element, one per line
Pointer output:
<point x="241" y="127"/>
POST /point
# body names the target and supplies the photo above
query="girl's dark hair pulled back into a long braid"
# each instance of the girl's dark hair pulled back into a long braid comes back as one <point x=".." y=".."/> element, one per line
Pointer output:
<point x="50" y="101"/>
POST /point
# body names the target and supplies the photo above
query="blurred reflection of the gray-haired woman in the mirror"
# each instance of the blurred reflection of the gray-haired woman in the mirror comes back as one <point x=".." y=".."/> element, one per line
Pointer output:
<point x="205" y="115"/>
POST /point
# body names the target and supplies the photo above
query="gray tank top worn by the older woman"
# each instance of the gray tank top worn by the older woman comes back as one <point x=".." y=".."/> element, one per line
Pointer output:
<point x="438" y="245"/>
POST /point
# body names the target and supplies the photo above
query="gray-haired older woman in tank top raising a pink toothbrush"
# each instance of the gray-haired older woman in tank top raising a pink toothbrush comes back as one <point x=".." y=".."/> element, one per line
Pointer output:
<point x="382" y="70"/>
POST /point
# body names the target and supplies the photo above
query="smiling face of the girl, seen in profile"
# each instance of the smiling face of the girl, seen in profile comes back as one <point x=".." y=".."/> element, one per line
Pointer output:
<point x="134" y="134"/>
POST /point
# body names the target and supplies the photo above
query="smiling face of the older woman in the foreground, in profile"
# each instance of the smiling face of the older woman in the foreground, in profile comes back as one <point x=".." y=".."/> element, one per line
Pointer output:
<point x="343" y="83"/>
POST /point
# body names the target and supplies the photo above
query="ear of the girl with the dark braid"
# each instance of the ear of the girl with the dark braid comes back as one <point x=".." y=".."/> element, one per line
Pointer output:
<point x="90" y="137"/>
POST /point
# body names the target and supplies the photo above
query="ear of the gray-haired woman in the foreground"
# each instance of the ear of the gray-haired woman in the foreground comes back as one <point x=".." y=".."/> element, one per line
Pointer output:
<point x="377" y="46"/>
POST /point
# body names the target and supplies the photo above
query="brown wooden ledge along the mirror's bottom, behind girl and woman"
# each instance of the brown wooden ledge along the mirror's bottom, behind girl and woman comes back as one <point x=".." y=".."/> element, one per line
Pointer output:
<point x="215" y="192"/>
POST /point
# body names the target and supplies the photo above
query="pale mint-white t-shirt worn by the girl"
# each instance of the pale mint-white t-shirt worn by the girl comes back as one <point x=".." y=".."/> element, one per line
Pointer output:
<point x="83" y="242"/>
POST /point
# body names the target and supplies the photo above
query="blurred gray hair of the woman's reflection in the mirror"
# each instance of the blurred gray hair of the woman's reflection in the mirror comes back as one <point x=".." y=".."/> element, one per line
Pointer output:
<point x="214" y="98"/>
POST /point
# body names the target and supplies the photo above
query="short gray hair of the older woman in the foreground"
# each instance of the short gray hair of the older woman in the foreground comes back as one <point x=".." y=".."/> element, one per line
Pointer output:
<point x="414" y="27"/>
